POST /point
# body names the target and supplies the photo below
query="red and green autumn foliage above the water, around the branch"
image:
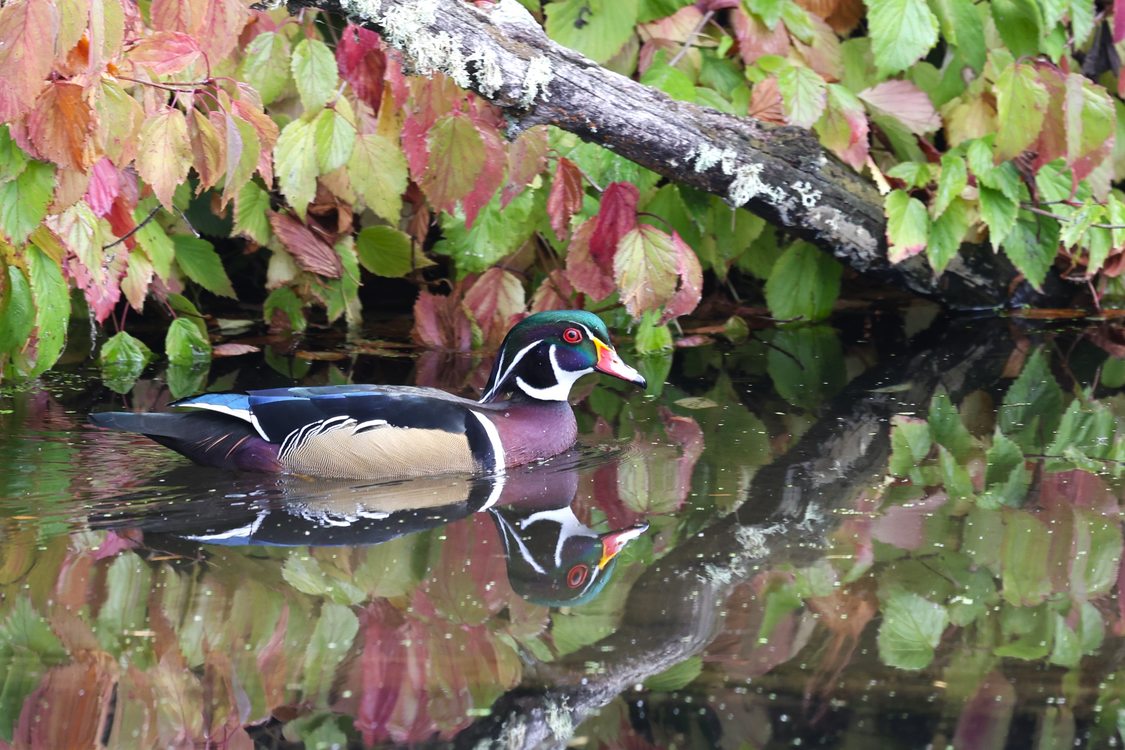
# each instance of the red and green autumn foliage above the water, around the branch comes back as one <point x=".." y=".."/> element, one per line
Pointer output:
<point x="166" y="148"/>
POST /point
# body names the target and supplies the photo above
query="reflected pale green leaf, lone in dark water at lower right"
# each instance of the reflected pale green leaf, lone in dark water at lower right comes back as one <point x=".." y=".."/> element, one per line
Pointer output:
<point x="911" y="630"/>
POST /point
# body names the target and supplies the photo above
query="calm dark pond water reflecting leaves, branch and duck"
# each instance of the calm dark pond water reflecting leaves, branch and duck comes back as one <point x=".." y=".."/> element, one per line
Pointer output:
<point x="870" y="536"/>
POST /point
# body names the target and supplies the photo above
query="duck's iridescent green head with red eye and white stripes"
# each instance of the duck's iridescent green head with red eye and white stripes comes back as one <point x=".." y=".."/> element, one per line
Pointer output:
<point x="545" y="355"/>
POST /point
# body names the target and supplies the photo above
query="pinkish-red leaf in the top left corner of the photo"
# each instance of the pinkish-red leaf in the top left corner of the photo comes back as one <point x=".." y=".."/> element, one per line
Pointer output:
<point x="28" y="44"/>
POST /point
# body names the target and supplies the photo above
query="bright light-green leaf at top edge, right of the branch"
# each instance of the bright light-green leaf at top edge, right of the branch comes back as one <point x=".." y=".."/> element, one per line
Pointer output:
<point x="902" y="33"/>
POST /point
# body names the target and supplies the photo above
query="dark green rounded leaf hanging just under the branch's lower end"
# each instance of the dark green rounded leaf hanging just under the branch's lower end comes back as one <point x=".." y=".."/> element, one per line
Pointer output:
<point x="804" y="284"/>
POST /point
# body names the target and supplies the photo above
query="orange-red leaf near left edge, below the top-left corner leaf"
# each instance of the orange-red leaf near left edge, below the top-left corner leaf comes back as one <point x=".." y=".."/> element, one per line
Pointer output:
<point x="61" y="124"/>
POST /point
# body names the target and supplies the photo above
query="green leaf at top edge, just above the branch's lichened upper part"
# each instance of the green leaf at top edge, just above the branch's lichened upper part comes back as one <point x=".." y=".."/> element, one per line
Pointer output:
<point x="597" y="29"/>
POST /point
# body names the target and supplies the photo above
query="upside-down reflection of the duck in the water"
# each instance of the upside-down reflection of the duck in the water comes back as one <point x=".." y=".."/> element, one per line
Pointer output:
<point x="552" y="557"/>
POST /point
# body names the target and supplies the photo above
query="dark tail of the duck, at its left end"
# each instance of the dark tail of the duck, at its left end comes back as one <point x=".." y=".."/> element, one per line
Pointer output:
<point x="210" y="439"/>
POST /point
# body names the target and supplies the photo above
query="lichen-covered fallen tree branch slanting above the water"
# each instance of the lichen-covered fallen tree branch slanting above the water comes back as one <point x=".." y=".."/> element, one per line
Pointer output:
<point x="780" y="174"/>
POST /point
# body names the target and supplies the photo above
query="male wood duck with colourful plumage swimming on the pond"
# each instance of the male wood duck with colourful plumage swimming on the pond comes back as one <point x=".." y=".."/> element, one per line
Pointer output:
<point x="393" y="432"/>
